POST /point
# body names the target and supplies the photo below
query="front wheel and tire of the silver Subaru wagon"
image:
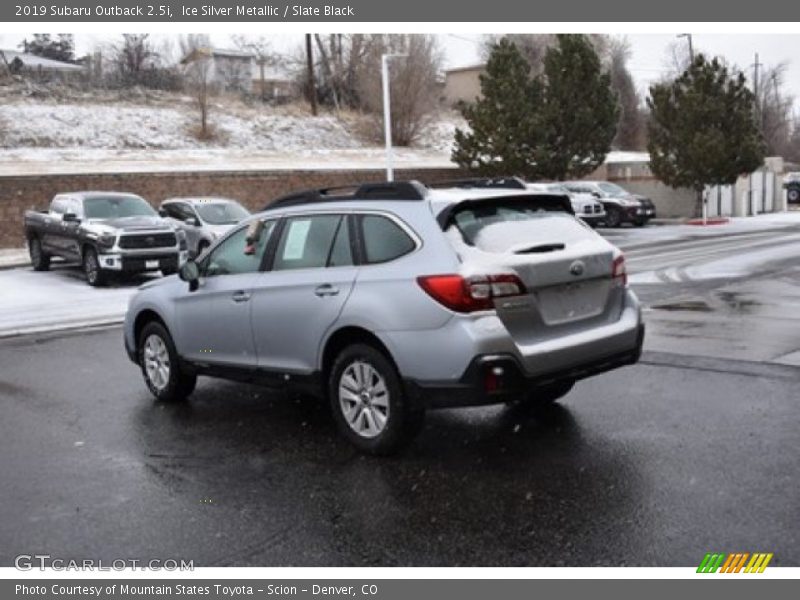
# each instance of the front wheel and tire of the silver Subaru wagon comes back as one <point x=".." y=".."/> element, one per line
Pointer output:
<point x="160" y="365"/>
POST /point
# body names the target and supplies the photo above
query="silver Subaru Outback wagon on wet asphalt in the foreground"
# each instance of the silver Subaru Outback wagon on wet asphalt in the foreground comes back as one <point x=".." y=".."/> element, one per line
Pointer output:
<point x="392" y="299"/>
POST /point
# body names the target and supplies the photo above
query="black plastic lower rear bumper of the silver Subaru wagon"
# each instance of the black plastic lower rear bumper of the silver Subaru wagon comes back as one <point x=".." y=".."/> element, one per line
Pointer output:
<point x="494" y="379"/>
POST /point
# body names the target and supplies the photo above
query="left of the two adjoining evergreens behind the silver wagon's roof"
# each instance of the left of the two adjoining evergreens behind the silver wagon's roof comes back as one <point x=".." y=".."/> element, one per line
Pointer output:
<point x="503" y="121"/>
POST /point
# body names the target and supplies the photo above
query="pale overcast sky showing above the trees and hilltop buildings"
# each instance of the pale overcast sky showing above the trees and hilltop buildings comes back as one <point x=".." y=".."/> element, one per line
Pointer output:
<point x="649" y="57"/>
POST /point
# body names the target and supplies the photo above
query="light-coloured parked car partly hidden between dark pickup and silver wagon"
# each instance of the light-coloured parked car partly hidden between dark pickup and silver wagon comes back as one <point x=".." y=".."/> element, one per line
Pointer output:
<point x="202" y="219"/>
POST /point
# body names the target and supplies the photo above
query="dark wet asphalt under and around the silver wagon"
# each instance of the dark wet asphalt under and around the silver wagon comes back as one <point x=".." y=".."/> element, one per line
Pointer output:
<point x="654" y="464"/>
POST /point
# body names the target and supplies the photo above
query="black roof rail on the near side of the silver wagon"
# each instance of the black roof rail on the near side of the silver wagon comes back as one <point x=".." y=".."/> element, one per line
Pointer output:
<point x="391" y="190"/>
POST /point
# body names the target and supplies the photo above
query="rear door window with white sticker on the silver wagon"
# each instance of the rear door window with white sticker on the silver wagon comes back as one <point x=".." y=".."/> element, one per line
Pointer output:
<point x="306" y="242"/>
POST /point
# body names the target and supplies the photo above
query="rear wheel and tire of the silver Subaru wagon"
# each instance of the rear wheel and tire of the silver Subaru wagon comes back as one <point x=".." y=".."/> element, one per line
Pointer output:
<point x="369" y="404"/>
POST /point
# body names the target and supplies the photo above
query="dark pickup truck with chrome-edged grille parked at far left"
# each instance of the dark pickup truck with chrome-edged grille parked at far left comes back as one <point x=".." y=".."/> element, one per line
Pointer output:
<point x="104" y="232"/>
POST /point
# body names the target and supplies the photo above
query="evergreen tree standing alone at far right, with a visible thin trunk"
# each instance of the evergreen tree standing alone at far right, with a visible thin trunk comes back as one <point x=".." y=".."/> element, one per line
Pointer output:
<point x="702" y="129"/>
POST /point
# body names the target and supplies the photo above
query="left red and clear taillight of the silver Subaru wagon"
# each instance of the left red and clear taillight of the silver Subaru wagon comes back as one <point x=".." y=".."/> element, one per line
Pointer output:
<point x="470" y="294"/>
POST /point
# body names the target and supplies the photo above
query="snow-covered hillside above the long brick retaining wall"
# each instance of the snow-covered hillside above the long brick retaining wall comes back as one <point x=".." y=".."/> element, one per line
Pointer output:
<point x="41" y="136"/>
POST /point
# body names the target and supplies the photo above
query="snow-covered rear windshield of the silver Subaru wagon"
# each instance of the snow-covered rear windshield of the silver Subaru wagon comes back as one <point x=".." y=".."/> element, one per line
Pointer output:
<point x="485" y="224"/>
